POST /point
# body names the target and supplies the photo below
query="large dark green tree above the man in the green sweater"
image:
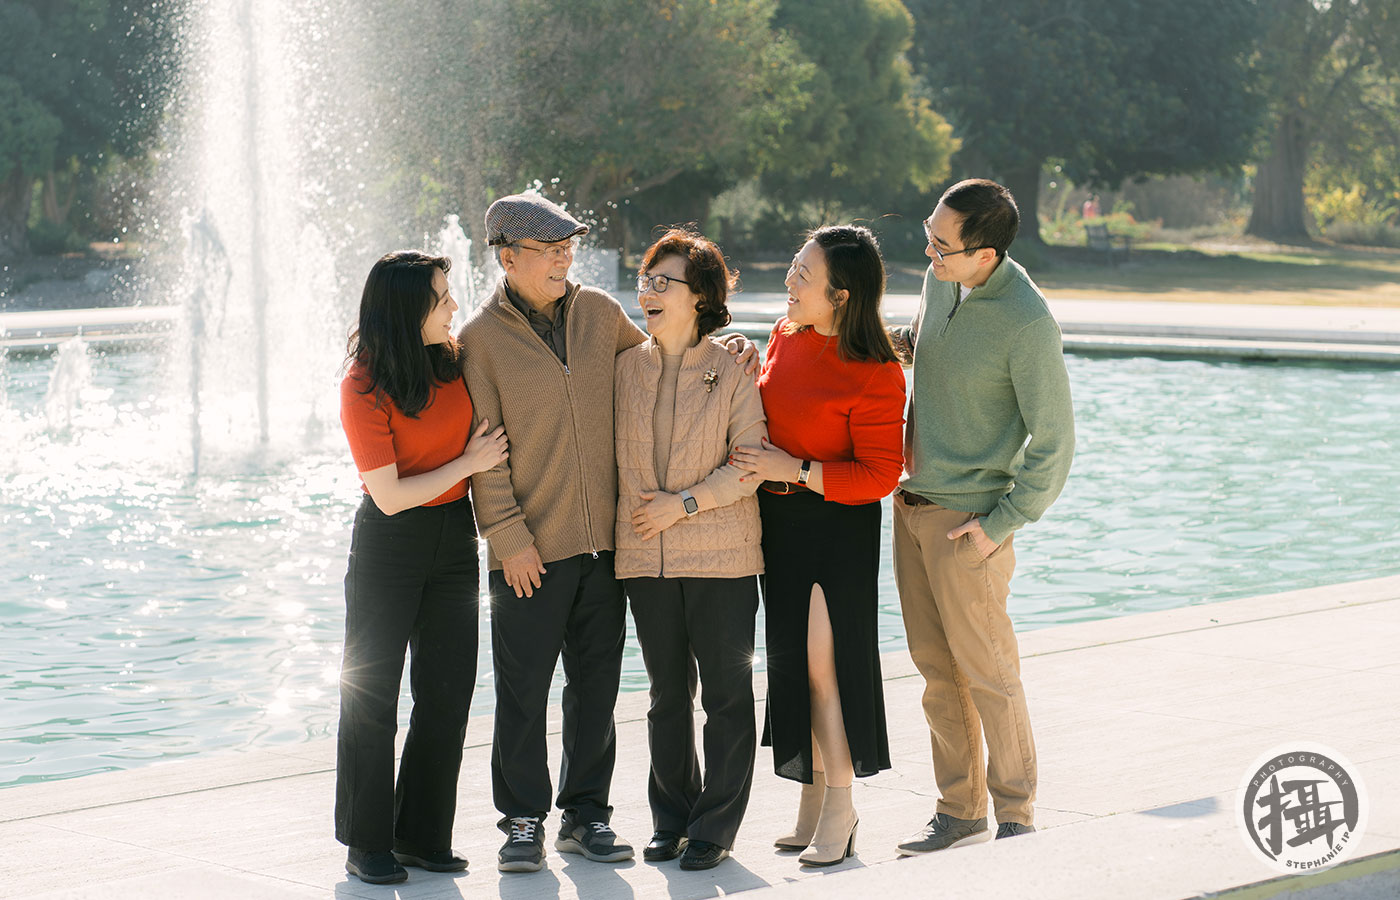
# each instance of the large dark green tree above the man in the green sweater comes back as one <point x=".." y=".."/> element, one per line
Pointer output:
<point x="1112" y="89"/>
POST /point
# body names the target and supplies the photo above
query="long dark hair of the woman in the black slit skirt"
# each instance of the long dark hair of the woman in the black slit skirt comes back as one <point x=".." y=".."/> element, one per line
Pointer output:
<point x="855" y="265"/>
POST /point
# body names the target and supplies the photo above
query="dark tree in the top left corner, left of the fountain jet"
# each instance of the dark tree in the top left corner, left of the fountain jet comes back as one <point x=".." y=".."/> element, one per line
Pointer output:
<point x="79" y="79"/>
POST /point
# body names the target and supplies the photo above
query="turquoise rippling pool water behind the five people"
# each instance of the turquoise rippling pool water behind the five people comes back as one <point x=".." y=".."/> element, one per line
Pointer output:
<point x="146" y="615"/>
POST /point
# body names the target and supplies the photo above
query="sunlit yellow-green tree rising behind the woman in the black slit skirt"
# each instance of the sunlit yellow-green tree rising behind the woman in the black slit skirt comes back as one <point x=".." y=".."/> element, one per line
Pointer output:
<point x="863" y="139"/>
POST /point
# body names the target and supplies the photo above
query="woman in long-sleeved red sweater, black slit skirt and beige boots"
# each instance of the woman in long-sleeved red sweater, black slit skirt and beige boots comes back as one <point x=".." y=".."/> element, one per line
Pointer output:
<point x="835" y="400"/>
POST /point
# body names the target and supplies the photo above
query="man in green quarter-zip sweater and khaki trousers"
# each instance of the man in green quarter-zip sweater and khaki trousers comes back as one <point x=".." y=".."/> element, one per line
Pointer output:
<point x="988" y="450"/>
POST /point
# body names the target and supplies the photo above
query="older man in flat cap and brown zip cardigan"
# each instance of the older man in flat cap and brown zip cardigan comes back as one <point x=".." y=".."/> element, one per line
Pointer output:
<point x="538" y="359"/>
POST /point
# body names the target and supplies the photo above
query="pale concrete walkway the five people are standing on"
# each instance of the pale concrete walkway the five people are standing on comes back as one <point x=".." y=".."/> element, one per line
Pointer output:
<point x="1146" y="726"/>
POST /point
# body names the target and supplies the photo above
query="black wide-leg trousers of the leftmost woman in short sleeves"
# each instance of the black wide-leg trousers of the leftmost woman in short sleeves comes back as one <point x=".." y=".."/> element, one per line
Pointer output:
<point x="412" y="583"/>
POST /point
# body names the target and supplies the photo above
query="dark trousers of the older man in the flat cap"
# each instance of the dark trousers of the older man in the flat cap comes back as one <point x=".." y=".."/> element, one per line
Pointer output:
<point x="579" y="611"/>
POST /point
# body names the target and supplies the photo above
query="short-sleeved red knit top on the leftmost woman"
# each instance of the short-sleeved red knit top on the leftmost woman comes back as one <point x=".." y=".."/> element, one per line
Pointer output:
<point x="380" y="435"/>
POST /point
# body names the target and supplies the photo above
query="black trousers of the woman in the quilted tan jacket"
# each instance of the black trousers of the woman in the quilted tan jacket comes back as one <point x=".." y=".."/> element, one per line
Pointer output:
<point x="684" y="626"/>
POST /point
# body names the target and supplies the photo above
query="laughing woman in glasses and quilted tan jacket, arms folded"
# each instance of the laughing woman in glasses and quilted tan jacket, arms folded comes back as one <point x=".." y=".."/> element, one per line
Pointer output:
<point x="688" y="547"/>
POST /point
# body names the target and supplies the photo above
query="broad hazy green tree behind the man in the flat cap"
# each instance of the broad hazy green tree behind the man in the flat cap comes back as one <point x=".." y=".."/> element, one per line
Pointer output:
<point x="600" y="100"/>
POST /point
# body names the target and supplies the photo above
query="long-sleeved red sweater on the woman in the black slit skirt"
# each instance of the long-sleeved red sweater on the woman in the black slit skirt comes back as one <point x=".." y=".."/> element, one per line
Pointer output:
<point x="848" y="416"/>
